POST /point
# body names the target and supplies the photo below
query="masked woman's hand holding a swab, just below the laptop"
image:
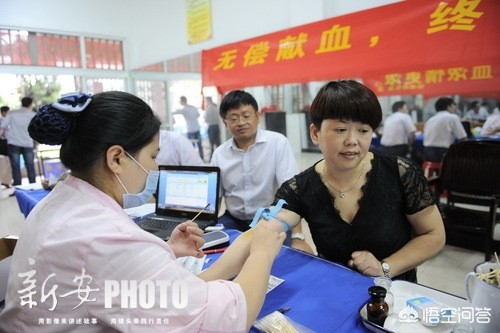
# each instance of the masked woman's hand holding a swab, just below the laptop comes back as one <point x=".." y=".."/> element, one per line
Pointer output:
<point x="186" y="240"/>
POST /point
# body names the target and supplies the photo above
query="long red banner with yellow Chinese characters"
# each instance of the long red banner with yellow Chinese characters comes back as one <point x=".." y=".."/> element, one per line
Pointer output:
<point x="414" y="47"/>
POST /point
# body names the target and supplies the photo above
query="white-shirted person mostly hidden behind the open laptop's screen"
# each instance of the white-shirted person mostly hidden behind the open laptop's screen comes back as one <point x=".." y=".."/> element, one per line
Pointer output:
<point x="176" y="149"/>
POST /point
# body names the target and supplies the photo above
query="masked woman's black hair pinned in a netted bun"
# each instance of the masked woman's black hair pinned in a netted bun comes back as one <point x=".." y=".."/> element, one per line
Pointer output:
<point x="111" y="118"/>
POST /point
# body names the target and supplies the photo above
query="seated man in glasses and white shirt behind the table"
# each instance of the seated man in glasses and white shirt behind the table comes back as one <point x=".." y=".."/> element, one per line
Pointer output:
<point x="253" y="163"/>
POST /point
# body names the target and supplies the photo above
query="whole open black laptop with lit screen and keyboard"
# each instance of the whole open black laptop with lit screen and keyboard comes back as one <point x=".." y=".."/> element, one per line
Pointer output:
<point x="182" y="193"/>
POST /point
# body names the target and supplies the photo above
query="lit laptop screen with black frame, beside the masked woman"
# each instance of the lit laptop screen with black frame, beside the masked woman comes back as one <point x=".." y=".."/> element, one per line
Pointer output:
<point x="183" y="191"/>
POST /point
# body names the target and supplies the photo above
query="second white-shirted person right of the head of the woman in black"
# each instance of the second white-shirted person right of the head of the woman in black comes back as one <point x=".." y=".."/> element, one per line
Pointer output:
<point x="441" y="130"/>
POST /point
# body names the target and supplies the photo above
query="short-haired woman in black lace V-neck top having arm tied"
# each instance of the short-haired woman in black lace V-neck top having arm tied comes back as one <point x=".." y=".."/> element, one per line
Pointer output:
<point x="371" y="212"/>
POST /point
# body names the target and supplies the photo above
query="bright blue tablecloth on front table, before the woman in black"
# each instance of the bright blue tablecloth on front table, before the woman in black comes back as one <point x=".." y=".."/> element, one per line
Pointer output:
<point x="322" y="295"/>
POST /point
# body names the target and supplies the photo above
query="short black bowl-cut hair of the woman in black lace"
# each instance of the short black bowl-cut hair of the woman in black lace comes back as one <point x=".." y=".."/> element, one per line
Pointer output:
<point x="346" y="100"/>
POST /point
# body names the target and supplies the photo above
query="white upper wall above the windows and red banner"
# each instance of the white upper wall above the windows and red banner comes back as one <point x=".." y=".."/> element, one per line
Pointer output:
<point x="155" y="30"/>
